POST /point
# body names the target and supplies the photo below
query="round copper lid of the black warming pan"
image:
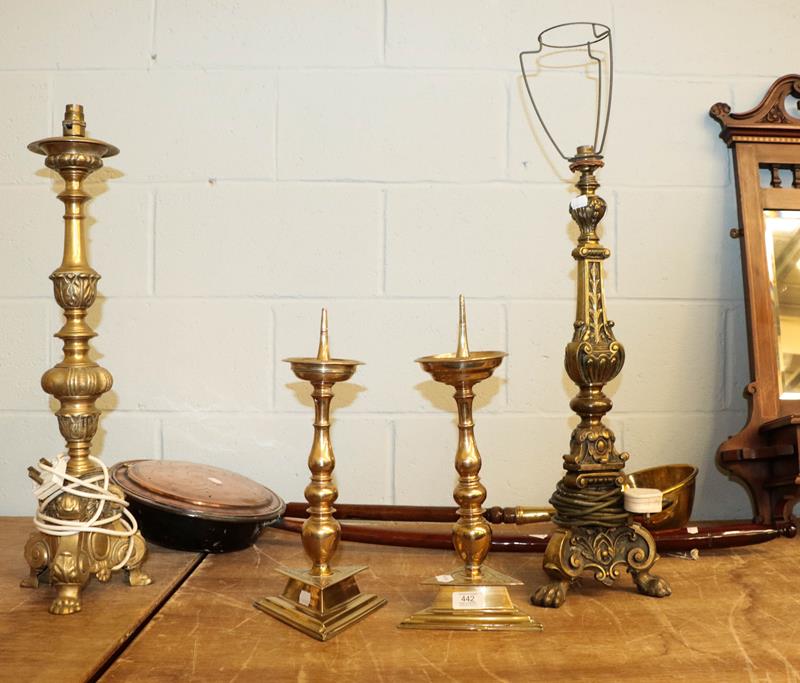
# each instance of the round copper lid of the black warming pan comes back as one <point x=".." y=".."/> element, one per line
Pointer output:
<point x="196" y="490"/>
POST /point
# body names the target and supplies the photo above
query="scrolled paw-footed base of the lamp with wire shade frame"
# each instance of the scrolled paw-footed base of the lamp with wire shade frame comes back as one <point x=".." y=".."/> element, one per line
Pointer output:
<point x="606" y="552"/>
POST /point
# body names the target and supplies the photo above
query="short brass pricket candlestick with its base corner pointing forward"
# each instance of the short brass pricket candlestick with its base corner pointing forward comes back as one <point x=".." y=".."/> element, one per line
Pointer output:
<point x="321" y="601"/>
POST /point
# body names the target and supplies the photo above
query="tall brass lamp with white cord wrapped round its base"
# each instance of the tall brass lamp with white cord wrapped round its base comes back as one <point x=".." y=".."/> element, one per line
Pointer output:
<point x="84" y="528"/>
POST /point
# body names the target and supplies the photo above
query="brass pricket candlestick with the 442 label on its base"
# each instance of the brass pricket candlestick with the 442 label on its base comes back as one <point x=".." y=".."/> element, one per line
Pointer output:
<point x="476" y="597"/>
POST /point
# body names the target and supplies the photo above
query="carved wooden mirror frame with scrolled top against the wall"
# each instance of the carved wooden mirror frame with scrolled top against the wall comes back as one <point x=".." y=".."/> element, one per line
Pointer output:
<point x="765" y="455"/>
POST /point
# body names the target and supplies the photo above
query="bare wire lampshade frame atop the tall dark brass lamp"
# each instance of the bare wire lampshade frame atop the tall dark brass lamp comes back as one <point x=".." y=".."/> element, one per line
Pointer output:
<point x="548" y="38"/>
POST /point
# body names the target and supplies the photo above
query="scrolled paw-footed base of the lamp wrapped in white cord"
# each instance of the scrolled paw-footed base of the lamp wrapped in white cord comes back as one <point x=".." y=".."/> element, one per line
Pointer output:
<point x="70" y="561"/>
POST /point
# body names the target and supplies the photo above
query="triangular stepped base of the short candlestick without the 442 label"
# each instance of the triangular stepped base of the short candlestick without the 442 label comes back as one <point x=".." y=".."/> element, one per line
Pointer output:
<point x="321" y="606"/>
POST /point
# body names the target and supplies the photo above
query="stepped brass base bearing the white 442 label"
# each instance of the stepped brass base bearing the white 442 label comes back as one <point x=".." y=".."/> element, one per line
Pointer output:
<point x="467" y="604"/>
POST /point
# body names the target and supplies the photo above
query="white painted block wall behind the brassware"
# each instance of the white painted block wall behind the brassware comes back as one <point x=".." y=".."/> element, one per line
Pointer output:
<point x="376" y="157"/>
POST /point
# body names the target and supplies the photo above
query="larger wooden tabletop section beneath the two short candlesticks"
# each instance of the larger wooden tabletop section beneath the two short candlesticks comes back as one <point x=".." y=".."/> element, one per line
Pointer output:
<point x="732" y="617"/>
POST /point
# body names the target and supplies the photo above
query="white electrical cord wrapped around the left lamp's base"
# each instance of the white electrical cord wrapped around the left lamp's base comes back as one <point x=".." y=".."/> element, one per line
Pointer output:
<point x="60" y="482"/>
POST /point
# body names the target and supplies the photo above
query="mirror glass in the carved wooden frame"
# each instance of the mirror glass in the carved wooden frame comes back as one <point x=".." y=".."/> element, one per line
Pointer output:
<point x="782" y="232"/>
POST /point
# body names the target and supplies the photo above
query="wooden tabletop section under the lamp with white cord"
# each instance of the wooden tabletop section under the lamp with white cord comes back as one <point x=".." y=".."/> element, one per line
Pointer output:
<point x="38" y="646"/>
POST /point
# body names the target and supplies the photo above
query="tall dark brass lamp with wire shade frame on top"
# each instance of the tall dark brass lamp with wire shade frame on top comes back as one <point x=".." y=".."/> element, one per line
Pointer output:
<point x="596" y="532"/>
